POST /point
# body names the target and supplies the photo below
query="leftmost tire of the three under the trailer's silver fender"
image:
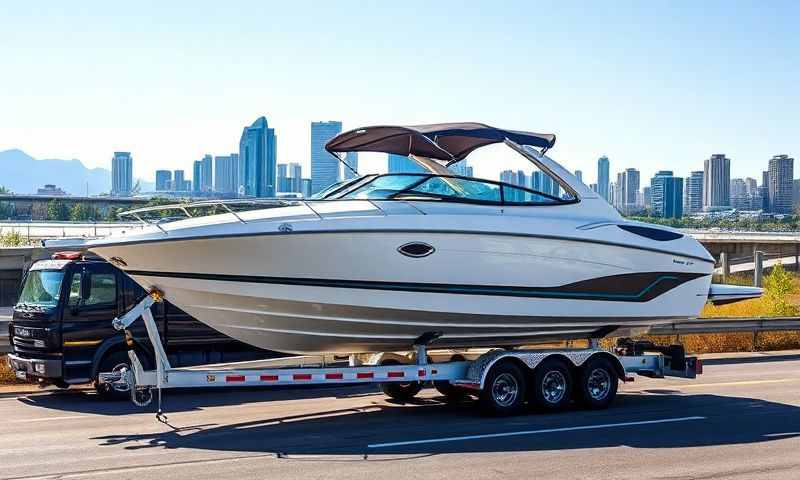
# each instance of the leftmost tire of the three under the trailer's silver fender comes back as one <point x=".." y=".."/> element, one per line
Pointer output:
<point x="504" y="390"/>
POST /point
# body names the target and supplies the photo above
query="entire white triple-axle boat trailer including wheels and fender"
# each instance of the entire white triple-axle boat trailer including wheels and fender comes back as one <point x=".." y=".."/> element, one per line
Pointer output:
<point x="503" y="380"/>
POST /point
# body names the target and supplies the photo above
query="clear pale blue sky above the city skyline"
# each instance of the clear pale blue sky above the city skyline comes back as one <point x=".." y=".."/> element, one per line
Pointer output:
<point x="652" y="85"/>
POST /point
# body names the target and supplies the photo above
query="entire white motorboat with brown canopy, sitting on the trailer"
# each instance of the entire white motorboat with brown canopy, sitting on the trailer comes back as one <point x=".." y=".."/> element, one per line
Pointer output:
<point x="383" y="262"/>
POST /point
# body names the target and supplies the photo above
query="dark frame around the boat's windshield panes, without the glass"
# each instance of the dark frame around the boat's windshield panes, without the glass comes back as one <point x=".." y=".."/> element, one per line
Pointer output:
<point x="407" y="193"/>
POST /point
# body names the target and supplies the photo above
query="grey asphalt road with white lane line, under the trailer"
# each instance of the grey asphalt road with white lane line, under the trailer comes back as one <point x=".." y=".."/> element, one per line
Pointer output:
<point x="741" y="419"/>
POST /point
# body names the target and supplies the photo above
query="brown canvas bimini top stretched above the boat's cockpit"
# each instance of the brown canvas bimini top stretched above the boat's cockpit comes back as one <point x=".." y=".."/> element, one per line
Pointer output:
<point x="442" y="141"/>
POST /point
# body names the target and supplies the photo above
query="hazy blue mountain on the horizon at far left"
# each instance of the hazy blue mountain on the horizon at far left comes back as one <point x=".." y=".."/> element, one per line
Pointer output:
<point x="21" y="173"/>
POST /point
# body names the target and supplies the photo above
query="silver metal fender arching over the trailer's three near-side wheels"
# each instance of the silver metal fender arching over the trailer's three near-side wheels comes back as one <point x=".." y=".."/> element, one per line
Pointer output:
<point x="476" y="374"/>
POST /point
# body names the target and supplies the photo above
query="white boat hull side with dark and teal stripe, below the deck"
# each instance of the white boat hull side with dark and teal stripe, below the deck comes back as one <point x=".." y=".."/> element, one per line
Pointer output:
<point x="311" y="291"/>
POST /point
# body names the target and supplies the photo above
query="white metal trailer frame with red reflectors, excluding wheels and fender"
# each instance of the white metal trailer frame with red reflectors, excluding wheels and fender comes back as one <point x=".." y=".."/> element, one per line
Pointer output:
<point x="384" y="368"/>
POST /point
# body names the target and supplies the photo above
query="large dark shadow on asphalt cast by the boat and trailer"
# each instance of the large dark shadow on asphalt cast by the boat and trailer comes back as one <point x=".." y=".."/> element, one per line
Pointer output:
<point x="729" y="420"/>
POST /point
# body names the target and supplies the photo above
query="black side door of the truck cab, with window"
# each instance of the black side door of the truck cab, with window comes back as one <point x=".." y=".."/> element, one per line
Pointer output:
<point x="86" y="319"/>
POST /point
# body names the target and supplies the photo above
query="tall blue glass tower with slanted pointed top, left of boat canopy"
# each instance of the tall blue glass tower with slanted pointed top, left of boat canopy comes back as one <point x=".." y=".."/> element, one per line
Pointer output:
<point x="257" y="160"/>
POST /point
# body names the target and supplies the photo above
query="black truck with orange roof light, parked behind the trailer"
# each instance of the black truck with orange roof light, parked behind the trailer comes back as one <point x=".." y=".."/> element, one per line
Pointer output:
<point x="61" y="330"/>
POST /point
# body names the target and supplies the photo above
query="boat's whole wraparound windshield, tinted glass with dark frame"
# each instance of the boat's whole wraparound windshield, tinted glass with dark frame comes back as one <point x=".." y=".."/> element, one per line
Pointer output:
<point x="444" y="188"/>
